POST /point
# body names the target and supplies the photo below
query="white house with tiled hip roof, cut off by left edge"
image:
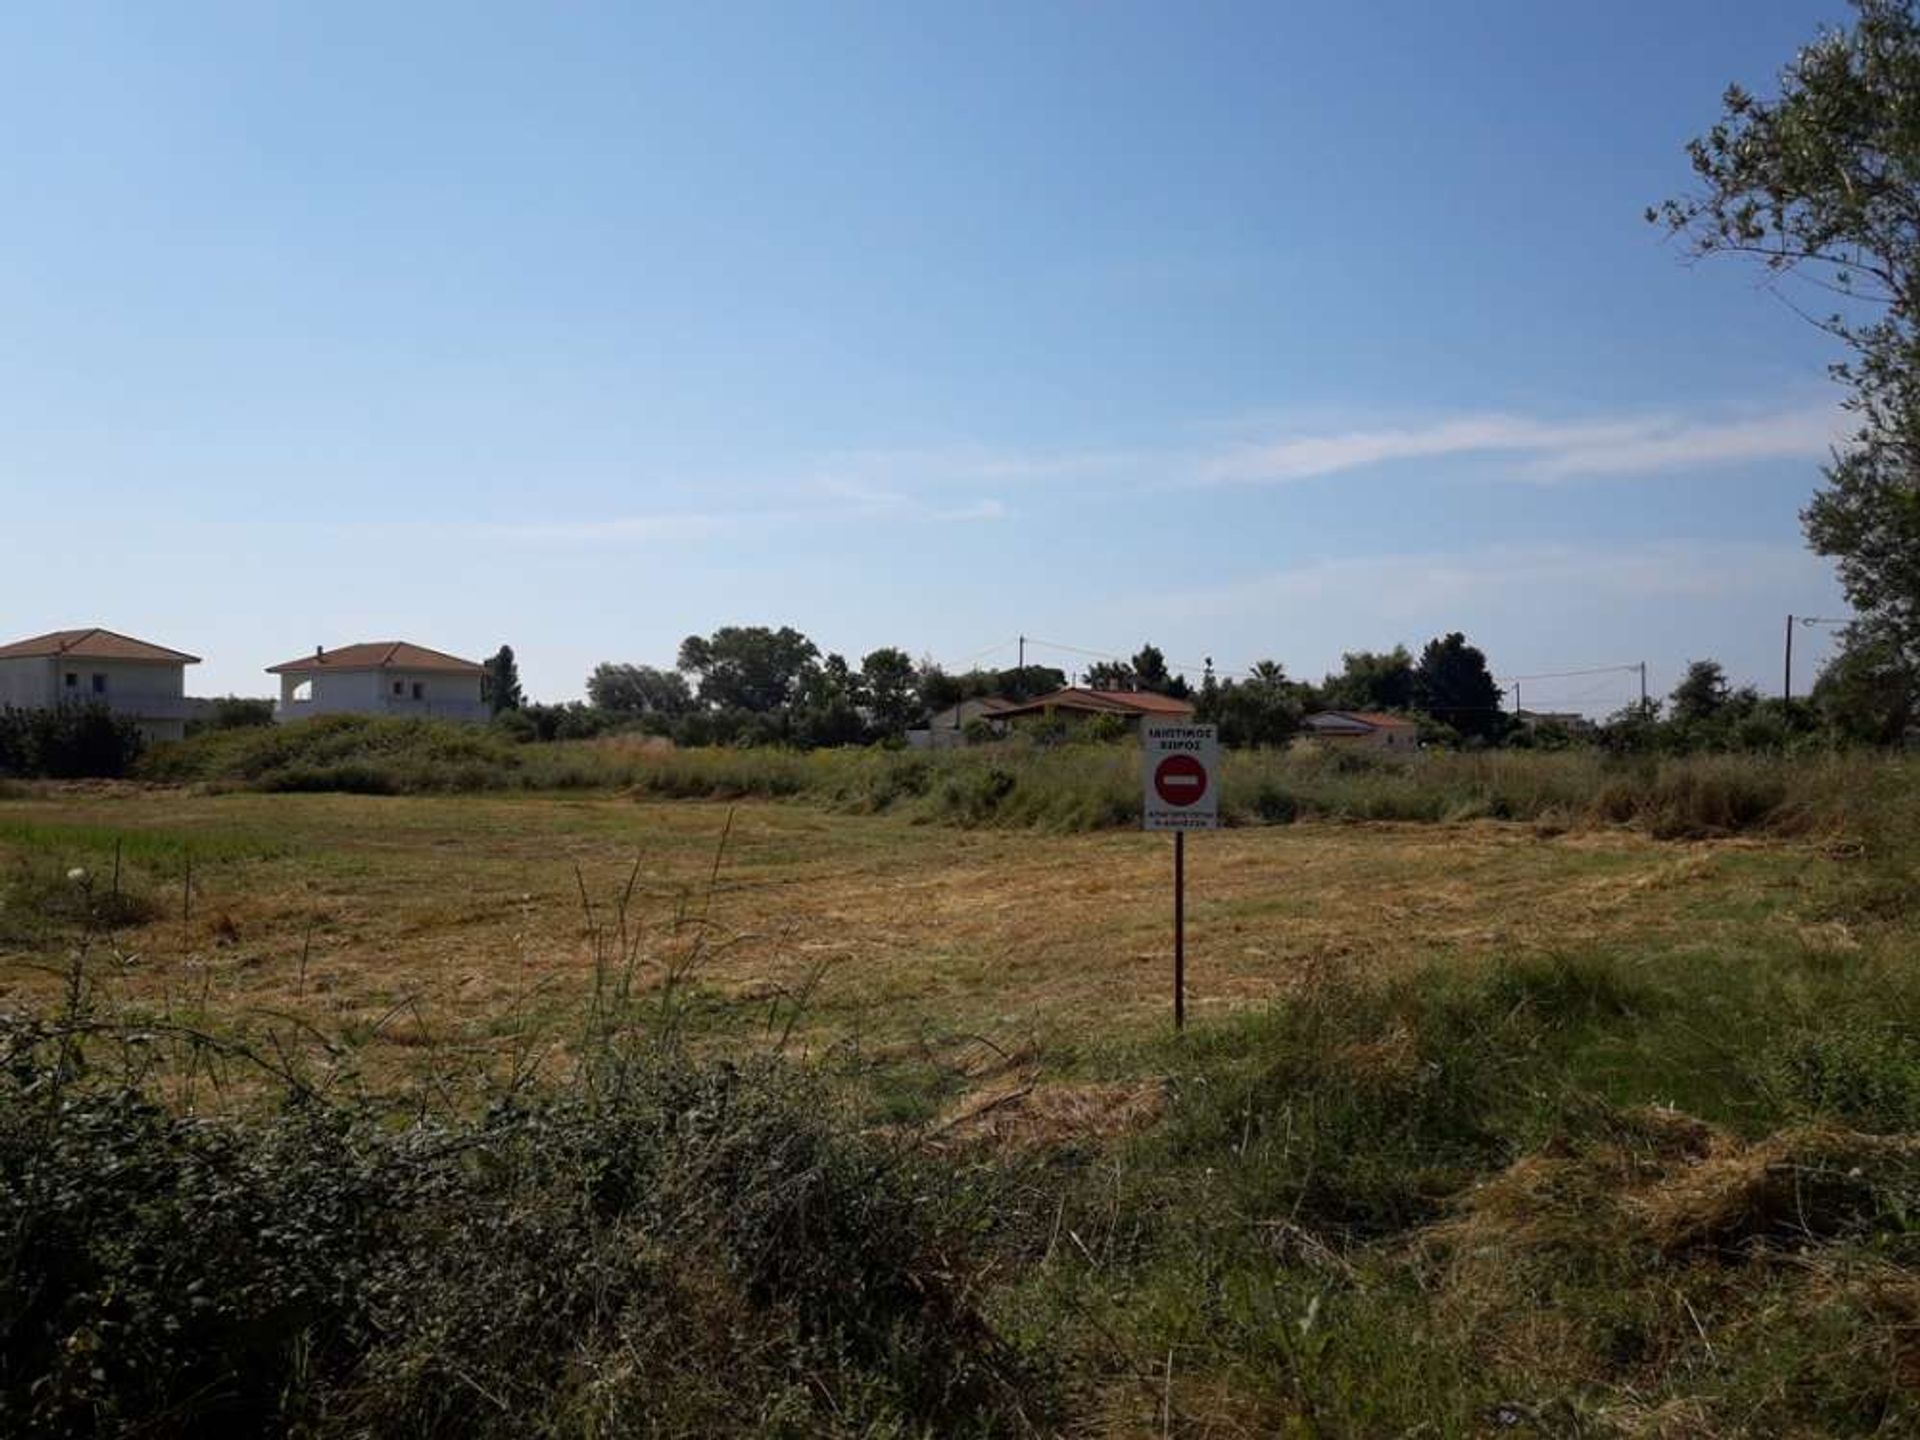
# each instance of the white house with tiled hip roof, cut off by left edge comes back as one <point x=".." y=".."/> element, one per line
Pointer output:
<point x="101" y="667"/>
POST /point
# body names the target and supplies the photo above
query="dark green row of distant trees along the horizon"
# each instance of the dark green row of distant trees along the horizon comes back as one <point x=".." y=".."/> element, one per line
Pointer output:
<point x="775" y="686"/>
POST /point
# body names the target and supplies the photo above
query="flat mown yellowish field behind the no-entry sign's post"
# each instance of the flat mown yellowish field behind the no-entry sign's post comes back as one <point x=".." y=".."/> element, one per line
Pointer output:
<point x="412" y="924"/>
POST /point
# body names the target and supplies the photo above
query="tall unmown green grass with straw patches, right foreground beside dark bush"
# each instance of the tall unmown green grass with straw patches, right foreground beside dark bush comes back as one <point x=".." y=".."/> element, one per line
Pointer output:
<point x="1383" y="1209"/>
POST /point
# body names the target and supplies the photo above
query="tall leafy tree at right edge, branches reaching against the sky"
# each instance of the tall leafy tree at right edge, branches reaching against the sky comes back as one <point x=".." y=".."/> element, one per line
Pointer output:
<point x="1823" y="183"/>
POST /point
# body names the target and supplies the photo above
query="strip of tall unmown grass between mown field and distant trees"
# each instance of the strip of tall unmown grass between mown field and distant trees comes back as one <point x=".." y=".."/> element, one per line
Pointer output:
<point x="1070" y="788"/>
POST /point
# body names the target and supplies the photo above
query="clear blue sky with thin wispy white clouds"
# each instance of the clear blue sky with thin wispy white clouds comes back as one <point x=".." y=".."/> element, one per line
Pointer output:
<point x="1255" y="331"/>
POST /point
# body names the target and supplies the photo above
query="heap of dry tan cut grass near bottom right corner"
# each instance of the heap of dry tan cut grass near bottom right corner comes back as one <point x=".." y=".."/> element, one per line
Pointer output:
<point x="1545" y="1270"/>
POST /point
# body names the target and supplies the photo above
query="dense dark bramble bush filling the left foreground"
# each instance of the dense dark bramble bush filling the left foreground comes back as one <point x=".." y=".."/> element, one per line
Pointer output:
<point x="661" y="1247"/>
